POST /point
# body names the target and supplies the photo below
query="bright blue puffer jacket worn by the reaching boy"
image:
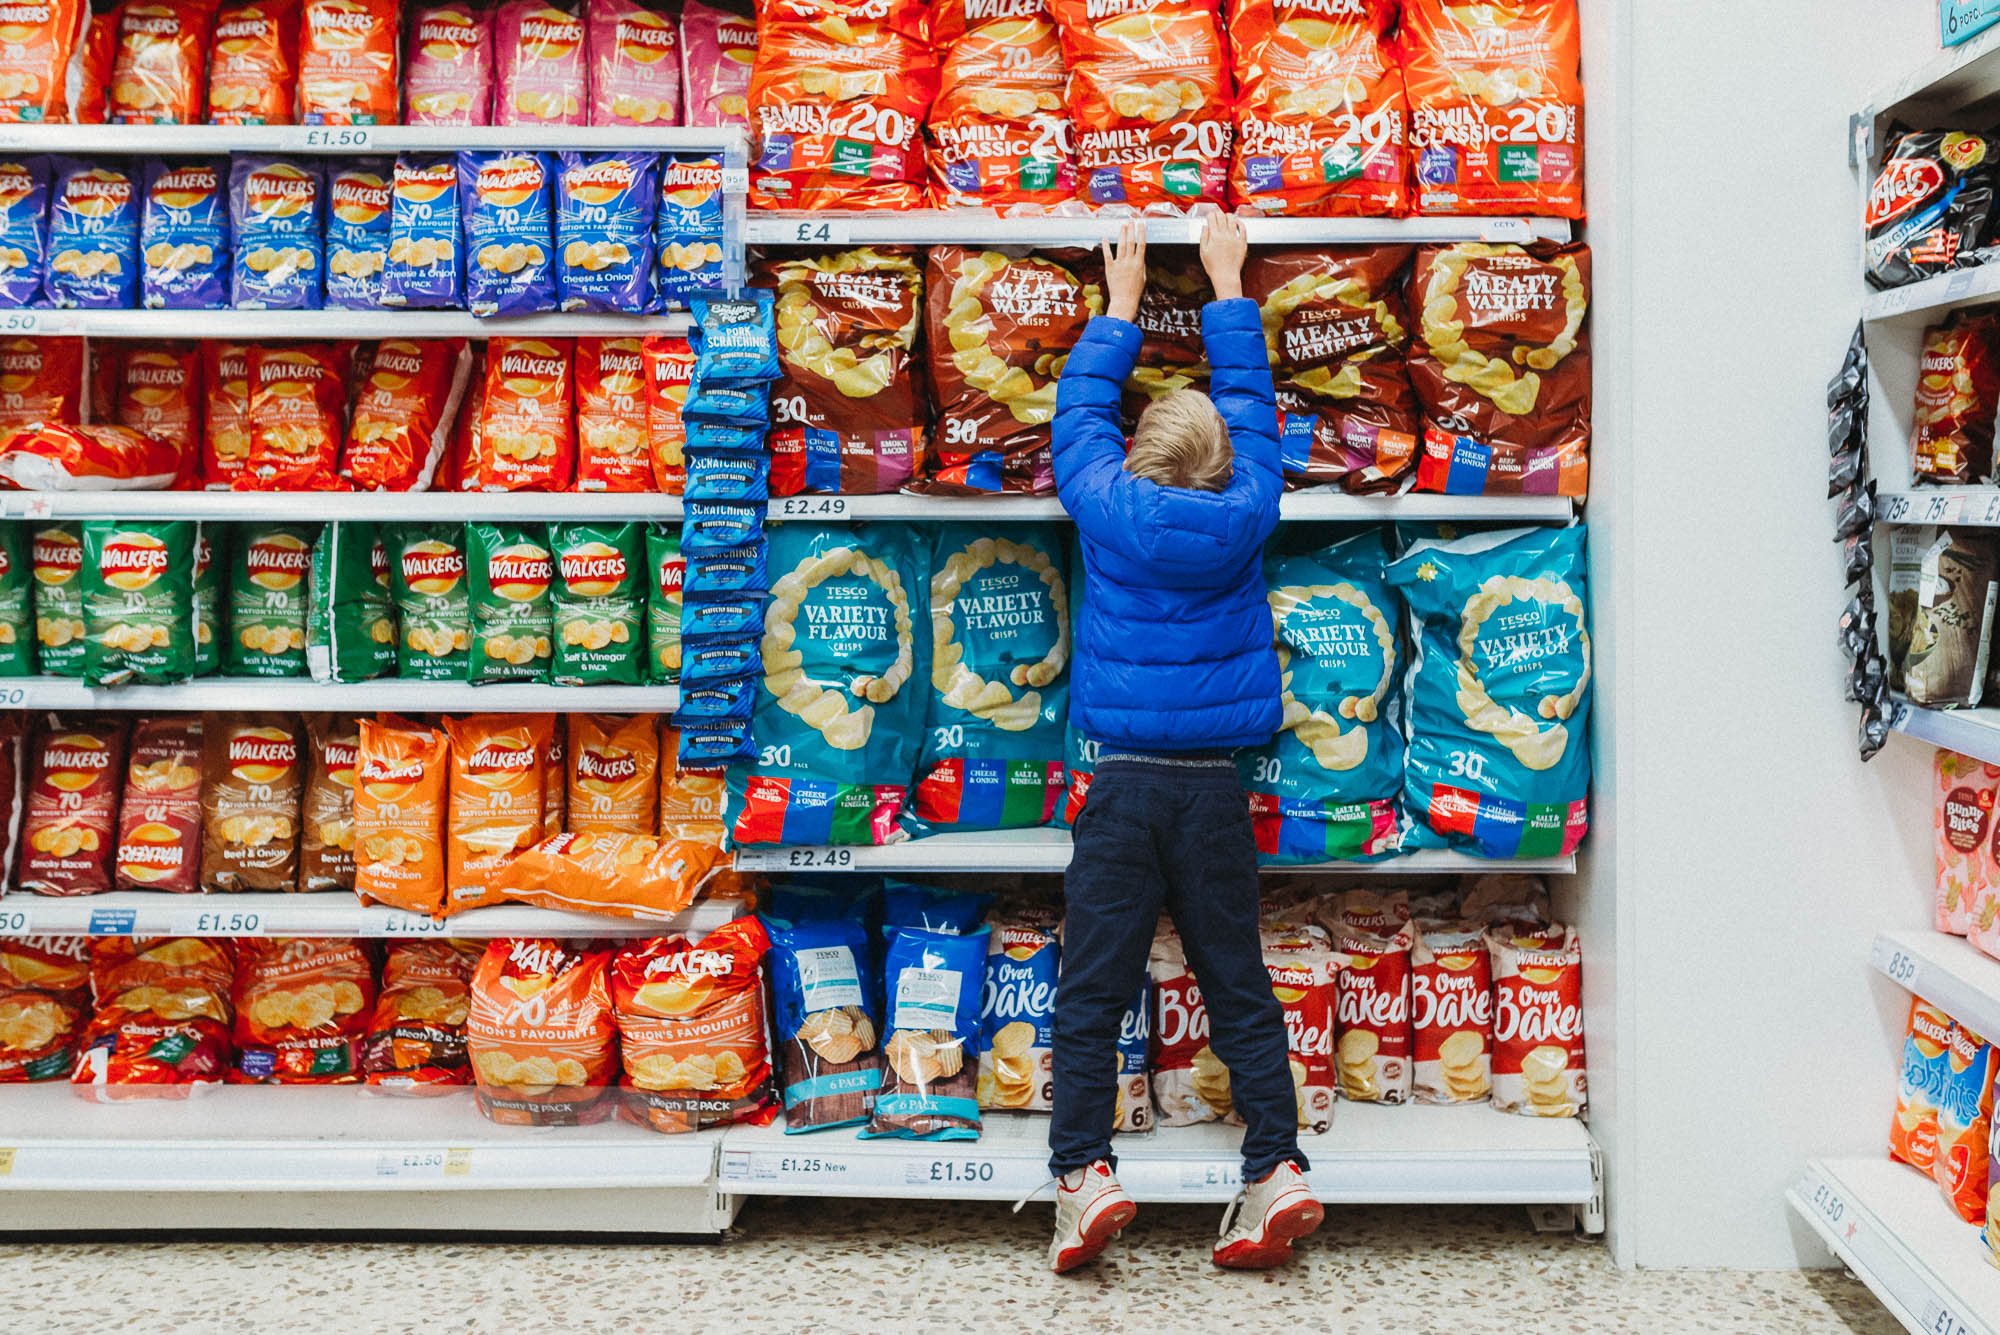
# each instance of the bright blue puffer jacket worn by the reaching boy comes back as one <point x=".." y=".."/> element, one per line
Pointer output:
<point x="1173" y="643"/>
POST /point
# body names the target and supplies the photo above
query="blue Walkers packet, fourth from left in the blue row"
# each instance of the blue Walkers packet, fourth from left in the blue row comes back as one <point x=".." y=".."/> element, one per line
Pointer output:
<point x="275" y="223"/>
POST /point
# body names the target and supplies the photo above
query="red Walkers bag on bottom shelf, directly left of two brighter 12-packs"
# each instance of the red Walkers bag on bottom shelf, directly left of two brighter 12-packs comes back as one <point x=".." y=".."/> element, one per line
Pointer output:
<point x="417" y="1036"/>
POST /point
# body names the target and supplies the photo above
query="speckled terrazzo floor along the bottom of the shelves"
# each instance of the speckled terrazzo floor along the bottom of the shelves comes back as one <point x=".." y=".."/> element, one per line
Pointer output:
<point x="839" y="1268"/>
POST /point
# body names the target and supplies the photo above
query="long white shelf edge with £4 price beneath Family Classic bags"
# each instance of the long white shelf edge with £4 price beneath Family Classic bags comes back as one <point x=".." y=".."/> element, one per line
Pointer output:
<point x="983" y="227"/>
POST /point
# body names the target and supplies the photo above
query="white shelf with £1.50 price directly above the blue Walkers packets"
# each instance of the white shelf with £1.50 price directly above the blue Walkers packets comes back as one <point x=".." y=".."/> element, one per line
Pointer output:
<point x="357" y="139"/>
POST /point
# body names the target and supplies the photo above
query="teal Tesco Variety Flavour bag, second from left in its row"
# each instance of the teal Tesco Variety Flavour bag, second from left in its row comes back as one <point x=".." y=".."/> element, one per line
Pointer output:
<point x="999" y="680"/>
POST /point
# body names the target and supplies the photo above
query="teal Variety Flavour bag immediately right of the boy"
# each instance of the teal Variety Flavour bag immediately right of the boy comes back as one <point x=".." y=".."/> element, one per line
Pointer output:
<point x="1325" y="786"/>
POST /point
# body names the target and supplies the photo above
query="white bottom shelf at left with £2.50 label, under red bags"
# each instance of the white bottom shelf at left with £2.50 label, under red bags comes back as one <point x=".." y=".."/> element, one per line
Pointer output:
<point x="323" y="1140"/>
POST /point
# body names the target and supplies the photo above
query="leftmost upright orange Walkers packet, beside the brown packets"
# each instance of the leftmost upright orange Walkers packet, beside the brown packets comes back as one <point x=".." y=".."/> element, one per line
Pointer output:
<point x="399" y="816"/>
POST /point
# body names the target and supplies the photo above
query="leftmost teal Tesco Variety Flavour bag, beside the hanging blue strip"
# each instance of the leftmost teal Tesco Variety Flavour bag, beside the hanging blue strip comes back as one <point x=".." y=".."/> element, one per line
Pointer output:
<point x="841" y="700"/>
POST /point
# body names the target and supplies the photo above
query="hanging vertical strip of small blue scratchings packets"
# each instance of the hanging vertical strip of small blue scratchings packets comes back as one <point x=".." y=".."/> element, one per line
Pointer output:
<point x="723" y="549"/>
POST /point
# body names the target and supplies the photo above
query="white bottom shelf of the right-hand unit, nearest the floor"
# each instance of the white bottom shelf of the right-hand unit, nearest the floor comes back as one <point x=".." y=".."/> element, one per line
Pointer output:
<point x="1897" y="1234"/>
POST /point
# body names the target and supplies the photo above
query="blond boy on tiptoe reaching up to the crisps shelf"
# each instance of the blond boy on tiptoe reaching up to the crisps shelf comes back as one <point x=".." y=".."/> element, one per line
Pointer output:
<point x="1175" y="668"/>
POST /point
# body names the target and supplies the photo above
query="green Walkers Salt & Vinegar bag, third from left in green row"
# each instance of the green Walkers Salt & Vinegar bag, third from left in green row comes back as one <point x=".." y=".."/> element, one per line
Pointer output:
<point x="139" y="603"/>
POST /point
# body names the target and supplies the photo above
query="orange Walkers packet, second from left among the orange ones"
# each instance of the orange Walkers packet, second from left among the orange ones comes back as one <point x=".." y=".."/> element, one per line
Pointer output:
<point x="495" y="800"/>
